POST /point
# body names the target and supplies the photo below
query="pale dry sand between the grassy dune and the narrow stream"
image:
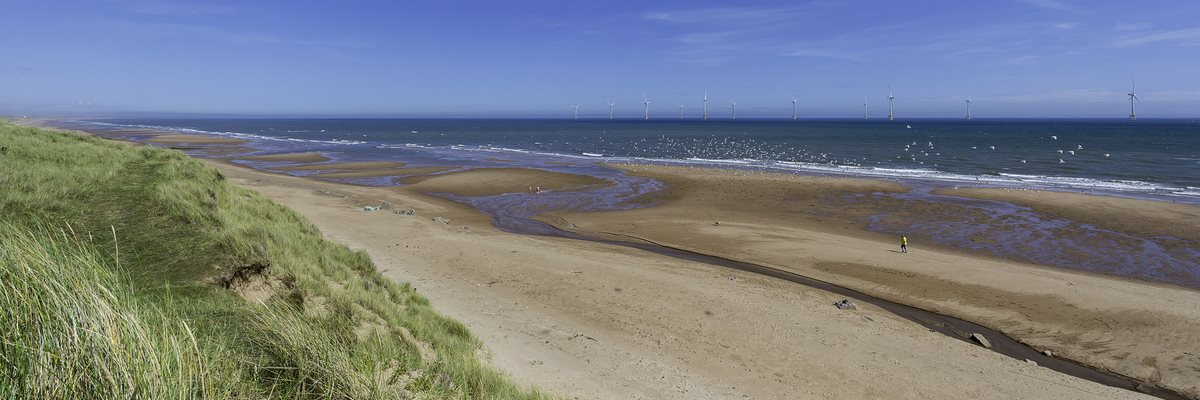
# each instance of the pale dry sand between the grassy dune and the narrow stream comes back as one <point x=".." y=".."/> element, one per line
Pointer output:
<point x="602" y="323"/>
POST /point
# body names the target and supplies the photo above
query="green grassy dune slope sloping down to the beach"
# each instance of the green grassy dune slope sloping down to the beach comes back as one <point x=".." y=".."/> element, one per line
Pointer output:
<point x="133" y="272"/>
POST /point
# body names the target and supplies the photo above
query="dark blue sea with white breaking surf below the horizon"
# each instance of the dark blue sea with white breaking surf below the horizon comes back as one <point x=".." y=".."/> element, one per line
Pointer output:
<point x="1159" y="159"/>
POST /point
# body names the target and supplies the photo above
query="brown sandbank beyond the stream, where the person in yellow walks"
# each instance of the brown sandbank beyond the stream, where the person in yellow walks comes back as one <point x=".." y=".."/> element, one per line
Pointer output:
<point x="801" y="224"/>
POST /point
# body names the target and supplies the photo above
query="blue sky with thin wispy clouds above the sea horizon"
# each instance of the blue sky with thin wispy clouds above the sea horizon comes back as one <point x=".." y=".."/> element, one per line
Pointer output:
<point x="1016" y="58"/>
